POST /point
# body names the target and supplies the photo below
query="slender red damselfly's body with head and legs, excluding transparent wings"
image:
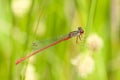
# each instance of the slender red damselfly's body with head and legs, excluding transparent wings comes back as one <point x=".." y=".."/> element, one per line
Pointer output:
<point x="76" y="33"/>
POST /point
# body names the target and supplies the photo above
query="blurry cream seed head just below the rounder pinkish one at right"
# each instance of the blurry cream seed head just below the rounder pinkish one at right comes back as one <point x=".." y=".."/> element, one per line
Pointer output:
<point x="84" y="65"/>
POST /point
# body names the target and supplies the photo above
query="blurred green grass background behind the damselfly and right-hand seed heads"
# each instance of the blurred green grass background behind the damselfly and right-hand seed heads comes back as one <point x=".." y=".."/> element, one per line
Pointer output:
<point x="24" y="21"/>
